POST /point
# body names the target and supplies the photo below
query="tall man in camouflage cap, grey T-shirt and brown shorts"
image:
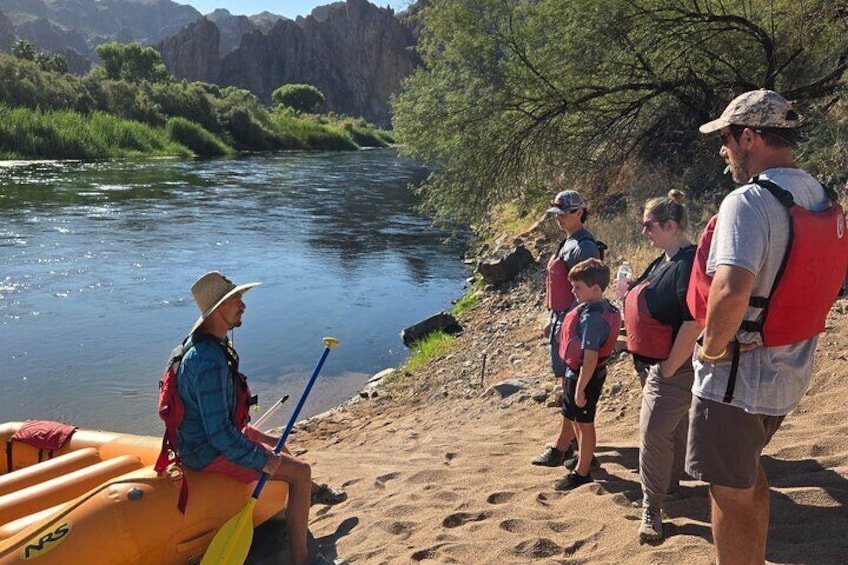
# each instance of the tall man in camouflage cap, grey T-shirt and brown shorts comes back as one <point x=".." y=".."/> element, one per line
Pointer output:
<point x="746" y="382"/>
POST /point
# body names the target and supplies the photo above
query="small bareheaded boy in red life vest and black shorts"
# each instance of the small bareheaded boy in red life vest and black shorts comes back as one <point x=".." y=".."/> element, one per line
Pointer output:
<point x="588" y="338"/>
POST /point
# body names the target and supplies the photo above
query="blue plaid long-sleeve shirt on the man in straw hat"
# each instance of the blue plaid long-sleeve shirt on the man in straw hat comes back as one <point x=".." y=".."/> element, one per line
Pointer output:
<point x="206" y="388"/>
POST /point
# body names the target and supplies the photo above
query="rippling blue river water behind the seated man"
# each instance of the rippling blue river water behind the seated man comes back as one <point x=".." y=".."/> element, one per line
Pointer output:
<point x="97" y="260"/>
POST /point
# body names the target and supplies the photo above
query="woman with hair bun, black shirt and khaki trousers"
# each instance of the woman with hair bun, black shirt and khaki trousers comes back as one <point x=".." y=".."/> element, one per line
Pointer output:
<point x="661" y="334"/>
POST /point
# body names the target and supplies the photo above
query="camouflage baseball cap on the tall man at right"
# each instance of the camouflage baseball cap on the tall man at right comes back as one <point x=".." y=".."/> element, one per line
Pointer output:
<point x="757" y="108"/>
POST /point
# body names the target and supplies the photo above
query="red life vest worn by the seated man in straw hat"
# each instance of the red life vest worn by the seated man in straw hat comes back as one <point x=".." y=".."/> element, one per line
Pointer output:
<point x="172" y="409"/>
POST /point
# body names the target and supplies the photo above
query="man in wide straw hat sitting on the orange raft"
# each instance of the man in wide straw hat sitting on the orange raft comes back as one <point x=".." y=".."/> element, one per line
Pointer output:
<point x="213" y="435"/>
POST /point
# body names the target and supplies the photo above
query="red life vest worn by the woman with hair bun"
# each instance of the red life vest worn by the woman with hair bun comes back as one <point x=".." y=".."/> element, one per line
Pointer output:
<point x="646" y="336"/>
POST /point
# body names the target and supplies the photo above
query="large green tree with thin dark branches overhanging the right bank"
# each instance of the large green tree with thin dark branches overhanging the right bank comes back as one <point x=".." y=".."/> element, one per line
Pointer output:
<point x="517" y="92"/>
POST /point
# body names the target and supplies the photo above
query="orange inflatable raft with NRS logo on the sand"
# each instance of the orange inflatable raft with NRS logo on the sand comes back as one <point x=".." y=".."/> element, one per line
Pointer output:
<point x="97" y="500"/>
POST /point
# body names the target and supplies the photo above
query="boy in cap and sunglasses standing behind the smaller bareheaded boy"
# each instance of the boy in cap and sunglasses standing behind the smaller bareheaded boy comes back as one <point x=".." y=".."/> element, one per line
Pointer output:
<point x="569" y="211"/>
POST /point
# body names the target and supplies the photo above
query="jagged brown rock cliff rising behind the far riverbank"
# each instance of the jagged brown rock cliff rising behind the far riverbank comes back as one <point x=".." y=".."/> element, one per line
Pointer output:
<point x="355" y="53"/>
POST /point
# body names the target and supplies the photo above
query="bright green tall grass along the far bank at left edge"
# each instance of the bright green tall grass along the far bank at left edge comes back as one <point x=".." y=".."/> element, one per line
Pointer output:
<point x="63" y="134"/>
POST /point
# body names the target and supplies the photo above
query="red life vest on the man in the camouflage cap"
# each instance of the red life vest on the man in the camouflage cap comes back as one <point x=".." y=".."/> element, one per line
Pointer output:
<point x="808" y="281"/>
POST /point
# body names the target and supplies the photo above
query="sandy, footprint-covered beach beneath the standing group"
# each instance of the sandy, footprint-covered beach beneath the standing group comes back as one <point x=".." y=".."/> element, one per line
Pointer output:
<point x="438" y="467"/>
